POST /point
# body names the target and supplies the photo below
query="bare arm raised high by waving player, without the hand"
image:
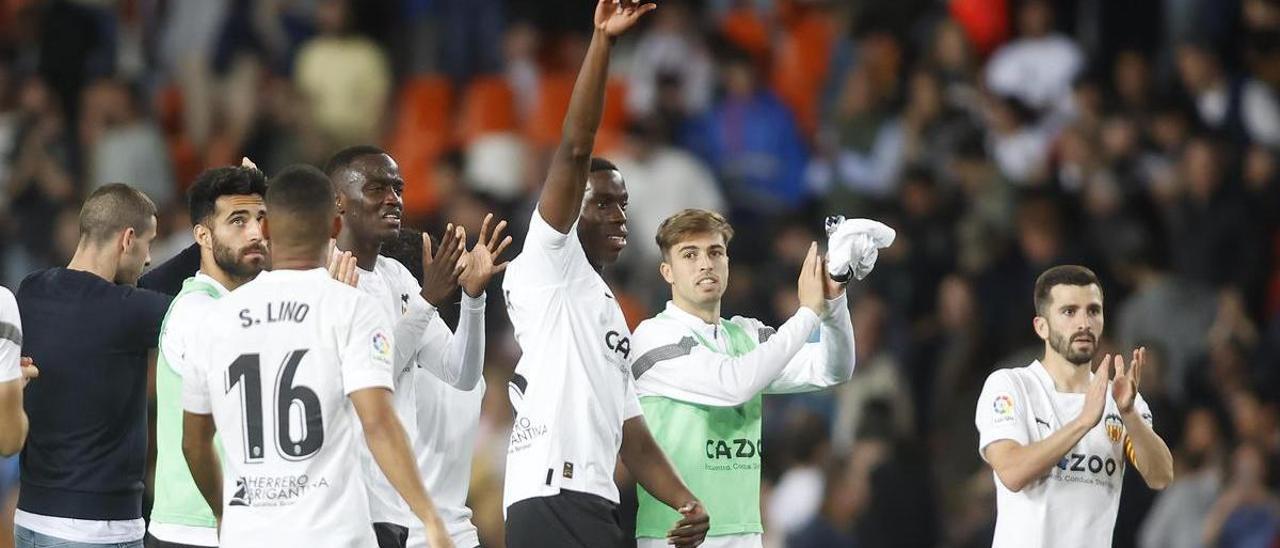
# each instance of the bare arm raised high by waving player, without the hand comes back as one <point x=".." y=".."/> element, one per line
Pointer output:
<point x="566" y="181"/>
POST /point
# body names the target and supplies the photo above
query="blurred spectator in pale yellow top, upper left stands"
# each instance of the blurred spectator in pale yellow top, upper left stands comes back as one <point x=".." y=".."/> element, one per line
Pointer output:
<point x="345" y="79"/>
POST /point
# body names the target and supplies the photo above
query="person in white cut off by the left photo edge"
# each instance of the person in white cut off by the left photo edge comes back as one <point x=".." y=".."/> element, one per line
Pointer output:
<point x="15" y="375"/>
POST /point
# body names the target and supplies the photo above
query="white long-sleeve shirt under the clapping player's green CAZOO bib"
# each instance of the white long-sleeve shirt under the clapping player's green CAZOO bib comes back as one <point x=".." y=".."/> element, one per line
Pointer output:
<point x="673" y="363"/>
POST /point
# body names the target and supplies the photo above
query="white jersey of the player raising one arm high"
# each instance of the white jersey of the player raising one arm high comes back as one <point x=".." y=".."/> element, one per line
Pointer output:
<point x="573" y="387"/>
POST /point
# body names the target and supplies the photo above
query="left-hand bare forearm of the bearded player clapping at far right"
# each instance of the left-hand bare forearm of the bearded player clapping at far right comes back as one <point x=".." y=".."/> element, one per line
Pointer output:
<point x="1020" y="465"/>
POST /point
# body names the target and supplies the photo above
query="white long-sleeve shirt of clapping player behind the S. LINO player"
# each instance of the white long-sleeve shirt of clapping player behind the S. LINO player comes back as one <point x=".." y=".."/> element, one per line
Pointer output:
<point x="423" y="341"/>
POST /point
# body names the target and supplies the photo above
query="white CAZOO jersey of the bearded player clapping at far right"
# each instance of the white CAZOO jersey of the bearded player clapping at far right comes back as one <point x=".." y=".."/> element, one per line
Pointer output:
<point x="1076" y="504"/>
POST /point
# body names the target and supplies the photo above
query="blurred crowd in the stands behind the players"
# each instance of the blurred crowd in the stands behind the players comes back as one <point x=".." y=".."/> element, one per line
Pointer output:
<point x="999" y="138"/>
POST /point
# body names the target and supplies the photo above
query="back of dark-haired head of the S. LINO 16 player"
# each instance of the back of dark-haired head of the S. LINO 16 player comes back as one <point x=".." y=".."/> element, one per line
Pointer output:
<point x="300" y="205"/>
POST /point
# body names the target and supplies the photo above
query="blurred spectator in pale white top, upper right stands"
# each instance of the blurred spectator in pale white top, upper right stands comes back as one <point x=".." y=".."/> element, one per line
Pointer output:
<point x="1036" y="68"/>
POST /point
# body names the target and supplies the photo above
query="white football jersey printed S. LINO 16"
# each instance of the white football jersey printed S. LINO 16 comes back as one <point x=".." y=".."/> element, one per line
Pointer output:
<point x="277" y="363"/>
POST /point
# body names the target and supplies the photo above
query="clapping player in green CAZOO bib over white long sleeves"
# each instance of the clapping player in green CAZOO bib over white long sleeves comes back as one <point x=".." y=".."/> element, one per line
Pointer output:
<point x="701" y="378"/>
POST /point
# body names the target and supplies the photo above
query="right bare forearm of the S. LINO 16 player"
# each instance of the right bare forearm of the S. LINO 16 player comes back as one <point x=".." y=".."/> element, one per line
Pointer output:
<point x="390" y="445"/>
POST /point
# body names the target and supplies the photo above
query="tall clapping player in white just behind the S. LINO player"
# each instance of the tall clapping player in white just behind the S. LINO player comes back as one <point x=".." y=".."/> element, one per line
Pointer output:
<point x="371" y="190"/>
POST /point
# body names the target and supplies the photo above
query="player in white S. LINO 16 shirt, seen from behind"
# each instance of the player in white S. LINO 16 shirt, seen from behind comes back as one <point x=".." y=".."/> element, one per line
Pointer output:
<point x="287" y="367"/>
